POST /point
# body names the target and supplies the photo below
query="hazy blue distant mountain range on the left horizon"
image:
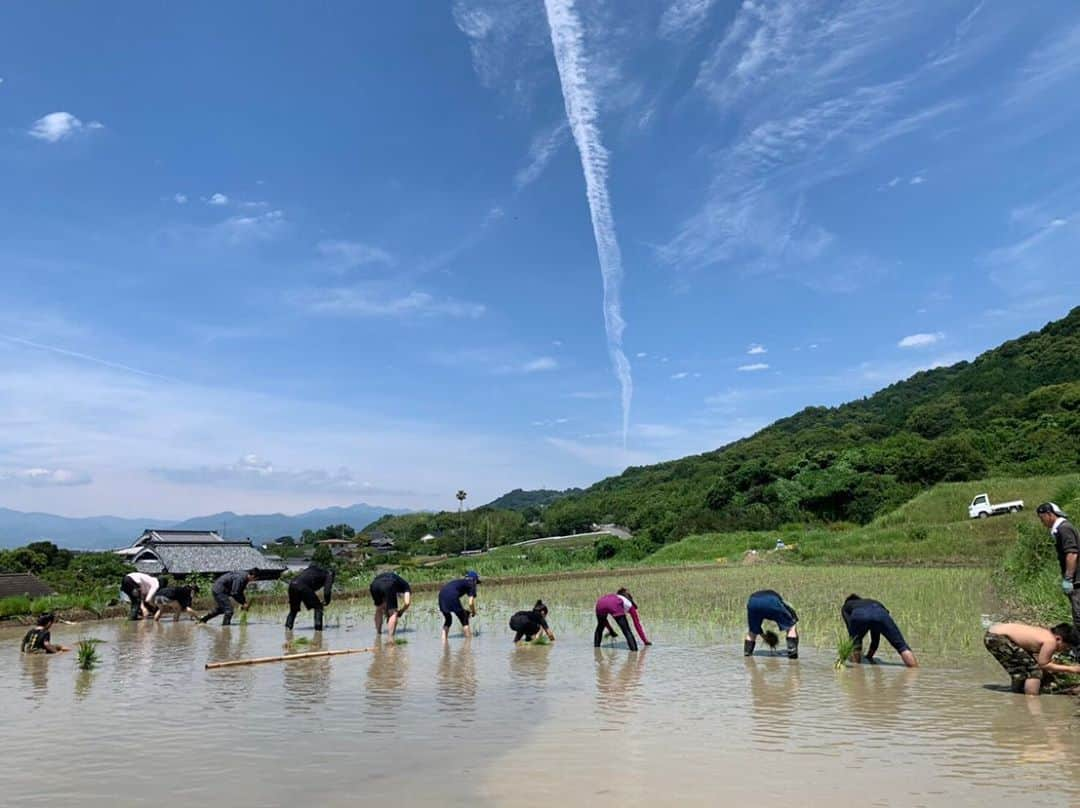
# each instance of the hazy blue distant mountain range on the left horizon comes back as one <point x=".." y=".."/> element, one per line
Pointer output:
<point x="98" y="533"/>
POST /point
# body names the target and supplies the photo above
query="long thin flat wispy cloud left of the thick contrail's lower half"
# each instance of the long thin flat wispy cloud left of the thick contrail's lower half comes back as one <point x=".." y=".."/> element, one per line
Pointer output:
<point x="373" y="302"/>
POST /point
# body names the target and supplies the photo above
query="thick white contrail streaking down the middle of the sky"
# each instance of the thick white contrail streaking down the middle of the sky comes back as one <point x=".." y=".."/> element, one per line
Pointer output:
<point x="566" y="41"/>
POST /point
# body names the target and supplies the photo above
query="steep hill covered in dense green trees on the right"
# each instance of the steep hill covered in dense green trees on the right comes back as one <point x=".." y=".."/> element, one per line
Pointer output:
<point x="1014" y="412"/>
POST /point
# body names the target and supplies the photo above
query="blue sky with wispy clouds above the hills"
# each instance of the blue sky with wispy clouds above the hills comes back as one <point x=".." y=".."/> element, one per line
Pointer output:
<point x="272" y="257"/>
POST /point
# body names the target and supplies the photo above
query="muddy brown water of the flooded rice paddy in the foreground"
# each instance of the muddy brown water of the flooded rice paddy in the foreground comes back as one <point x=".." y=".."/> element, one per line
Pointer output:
<point x="687" y="722"/>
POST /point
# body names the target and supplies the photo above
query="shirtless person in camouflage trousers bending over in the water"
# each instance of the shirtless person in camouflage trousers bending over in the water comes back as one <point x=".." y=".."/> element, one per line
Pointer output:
<point x="1028" y="653"/>
